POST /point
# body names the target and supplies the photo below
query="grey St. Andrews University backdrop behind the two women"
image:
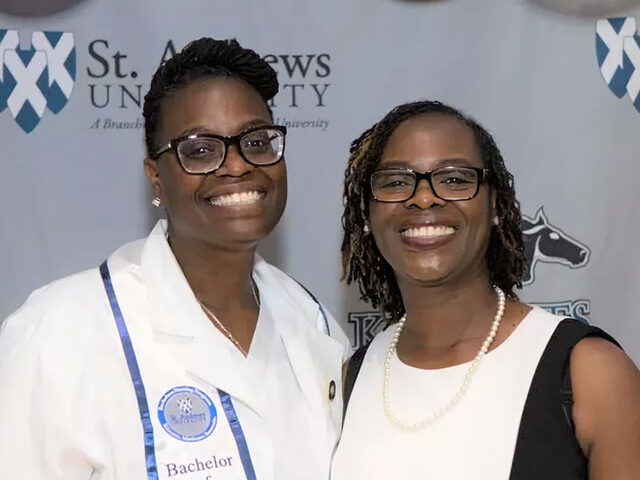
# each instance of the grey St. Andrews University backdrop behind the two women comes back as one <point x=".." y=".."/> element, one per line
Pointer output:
<point x="557" y="82"/>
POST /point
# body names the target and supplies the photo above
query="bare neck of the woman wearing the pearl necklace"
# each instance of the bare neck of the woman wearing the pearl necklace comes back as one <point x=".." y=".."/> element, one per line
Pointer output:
<point x="440" y="317"/>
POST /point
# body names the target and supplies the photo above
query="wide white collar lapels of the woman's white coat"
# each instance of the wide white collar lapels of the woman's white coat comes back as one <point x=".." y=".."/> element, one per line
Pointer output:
<point x="181" y="326"/>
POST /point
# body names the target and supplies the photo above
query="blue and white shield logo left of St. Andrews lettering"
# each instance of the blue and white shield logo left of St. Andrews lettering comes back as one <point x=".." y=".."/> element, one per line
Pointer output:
<point x="37" y="78"/>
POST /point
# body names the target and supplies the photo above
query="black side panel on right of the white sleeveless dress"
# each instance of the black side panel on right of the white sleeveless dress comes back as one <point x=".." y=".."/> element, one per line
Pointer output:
<point x="546" y="446"/>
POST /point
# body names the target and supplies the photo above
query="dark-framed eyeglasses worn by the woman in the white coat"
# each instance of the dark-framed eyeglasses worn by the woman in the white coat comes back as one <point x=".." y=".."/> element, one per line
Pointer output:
<point x="202" y="153"/>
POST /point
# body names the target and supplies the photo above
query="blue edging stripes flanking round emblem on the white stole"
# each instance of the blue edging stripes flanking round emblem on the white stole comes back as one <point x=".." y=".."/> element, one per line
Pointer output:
<point x="141" y="396"/>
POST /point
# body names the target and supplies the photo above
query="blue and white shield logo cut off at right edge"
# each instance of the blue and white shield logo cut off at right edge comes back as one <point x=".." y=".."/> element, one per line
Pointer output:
<point x="618" y="52"/>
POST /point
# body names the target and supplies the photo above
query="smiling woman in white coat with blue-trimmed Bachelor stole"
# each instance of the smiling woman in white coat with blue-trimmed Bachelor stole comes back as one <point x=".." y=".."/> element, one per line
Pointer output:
<point x="185" y="355"/>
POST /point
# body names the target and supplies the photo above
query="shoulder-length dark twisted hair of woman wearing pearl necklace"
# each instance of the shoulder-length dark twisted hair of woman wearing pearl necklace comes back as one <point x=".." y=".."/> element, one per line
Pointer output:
<point x="361" y="259"/>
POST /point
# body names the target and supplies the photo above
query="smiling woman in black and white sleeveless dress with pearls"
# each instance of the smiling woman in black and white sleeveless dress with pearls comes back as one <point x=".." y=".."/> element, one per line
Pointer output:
<point x="466" y="382"/>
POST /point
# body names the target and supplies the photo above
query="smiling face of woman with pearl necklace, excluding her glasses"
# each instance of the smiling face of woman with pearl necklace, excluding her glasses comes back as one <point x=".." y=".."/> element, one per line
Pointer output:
<point x="426" y="239"/>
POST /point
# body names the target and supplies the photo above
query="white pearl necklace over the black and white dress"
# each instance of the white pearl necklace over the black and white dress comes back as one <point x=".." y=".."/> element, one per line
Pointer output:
<point x="420" y="424"/>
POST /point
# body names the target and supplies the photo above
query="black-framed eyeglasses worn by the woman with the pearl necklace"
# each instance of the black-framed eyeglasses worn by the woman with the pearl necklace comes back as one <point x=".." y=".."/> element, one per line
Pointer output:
<point x="447" y="183"/>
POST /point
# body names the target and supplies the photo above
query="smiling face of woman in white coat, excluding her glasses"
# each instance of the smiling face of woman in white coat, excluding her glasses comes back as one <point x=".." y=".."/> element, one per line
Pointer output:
<point x="236" y="205"/>
